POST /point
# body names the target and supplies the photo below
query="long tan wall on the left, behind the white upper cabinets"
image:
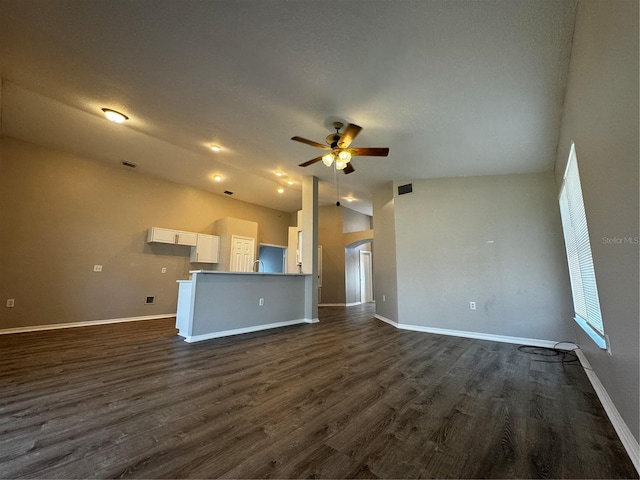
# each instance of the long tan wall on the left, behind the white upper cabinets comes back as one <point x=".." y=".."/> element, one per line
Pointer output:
<point x="60" y="215"/>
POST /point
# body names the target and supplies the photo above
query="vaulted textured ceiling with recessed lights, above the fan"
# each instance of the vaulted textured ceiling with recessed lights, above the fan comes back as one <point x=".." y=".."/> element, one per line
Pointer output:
<point x="452" y="87"/>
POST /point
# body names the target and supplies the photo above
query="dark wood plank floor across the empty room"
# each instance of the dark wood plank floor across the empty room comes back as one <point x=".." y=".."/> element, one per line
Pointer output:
<point x="349" y="397"/>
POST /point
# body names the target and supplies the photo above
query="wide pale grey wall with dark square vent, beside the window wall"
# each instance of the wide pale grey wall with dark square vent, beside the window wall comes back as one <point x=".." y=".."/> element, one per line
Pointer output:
<point x="493" y="240"/>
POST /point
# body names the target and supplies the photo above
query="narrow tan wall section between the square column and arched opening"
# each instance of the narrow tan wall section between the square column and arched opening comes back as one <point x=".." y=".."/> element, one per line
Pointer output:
<point x="333" y="254"/>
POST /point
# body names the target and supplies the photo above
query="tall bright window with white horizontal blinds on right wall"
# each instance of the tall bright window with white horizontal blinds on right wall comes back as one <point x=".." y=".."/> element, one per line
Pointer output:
<point x="580" y="260"/>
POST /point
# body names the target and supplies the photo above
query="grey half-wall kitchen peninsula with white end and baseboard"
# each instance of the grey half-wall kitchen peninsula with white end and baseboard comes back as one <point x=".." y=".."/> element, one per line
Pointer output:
<point x="218" y="304"/>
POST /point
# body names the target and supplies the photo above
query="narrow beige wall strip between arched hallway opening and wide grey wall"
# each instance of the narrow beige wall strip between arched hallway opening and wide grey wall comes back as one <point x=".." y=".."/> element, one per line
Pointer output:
<point x="384" y="258"/>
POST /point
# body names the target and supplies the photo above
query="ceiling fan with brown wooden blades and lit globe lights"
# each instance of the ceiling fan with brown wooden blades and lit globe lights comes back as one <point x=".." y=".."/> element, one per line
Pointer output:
<point x="338" y="148"/>
